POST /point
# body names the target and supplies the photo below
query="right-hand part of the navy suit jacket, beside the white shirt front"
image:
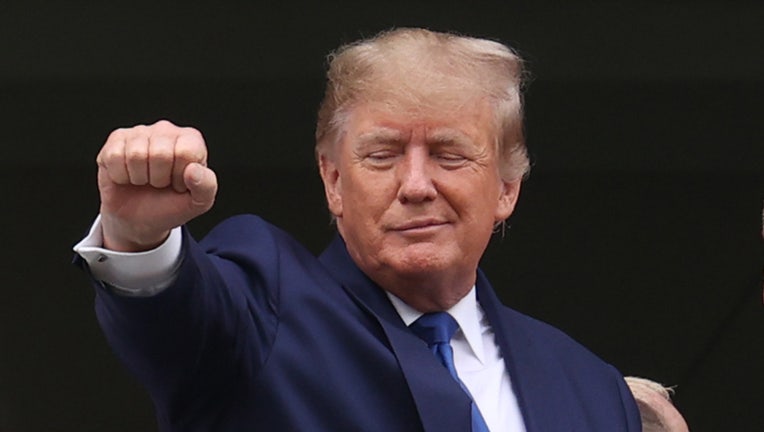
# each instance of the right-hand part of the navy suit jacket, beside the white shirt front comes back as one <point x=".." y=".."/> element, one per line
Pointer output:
<point x="560" y="384"/>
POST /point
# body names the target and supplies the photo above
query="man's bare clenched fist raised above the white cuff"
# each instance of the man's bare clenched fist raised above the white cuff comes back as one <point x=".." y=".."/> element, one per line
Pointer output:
<point x="152" y="179"/>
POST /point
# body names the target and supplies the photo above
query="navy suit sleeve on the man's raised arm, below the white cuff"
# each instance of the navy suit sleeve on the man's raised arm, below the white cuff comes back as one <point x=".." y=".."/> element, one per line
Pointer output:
<point x="194" y="342"/>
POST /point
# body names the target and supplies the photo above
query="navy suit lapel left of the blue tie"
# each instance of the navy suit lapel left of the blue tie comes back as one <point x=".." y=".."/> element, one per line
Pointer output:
<point x="440" y="401"/>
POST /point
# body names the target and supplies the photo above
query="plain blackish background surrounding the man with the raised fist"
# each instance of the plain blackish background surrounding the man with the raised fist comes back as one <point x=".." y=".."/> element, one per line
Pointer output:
<point x="638" y="231"/>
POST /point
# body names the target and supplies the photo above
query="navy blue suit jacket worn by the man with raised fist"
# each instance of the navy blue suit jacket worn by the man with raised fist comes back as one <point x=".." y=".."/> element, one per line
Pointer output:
<point x="258" y="334"/>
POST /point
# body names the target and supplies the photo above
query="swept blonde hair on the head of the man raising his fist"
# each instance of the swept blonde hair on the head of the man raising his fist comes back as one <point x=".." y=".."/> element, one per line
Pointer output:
<point x="425" y="70"/>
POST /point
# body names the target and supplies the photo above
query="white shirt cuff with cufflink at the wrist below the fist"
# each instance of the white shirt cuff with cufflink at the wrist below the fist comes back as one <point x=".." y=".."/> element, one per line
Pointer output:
<point x="140" y="274"/>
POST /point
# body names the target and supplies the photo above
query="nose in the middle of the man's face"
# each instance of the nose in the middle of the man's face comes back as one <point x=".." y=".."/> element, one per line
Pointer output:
<point x="416" y="182"/>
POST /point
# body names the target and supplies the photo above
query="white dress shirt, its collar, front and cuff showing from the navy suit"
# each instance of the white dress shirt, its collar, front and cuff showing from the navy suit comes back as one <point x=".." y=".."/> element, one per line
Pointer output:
<point x="477" y="357"/>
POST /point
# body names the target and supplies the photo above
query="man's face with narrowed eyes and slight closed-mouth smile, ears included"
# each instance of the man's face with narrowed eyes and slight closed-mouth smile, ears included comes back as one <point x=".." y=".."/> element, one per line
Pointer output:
<point x="416" y="196"/>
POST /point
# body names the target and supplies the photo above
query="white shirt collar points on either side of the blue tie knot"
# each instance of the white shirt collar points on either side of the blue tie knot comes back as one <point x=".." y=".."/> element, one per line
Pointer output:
<point x="466" y="312"/>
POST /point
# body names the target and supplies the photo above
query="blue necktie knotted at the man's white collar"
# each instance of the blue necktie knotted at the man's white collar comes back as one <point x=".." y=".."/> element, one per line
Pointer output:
<point x="436" y="329"/>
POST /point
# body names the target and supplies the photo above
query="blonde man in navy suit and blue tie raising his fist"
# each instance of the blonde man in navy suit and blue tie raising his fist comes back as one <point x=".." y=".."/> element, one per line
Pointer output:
<point x="420" y="148"/>
